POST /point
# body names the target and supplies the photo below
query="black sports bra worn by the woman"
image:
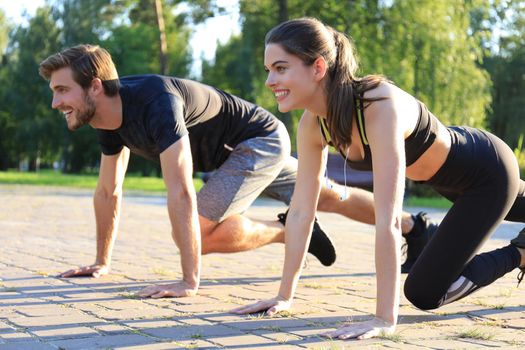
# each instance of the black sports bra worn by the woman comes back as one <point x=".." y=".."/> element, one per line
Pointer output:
<point x="416" y="143"/>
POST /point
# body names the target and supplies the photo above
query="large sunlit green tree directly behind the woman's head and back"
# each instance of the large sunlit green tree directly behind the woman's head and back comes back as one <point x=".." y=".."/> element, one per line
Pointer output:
<point x="426" y="47"/>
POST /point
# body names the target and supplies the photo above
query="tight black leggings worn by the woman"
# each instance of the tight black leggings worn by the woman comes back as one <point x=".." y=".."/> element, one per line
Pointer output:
<point x="481" y="177"/>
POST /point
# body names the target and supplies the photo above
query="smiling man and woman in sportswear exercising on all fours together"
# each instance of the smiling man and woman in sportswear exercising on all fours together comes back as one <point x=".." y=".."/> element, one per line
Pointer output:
<point x="376" y="126"/>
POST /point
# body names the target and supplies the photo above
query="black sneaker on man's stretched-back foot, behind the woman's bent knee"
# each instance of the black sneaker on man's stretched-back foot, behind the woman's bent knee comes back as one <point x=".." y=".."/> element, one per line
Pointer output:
<point x="417" y="239"/>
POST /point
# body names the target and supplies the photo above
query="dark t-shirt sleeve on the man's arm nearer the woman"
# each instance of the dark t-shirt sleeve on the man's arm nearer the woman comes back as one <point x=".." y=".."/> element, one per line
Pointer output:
<point x="166" y="120"/>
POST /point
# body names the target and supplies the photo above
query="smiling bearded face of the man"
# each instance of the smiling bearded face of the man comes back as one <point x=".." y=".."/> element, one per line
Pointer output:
<point x="70" y="99"/>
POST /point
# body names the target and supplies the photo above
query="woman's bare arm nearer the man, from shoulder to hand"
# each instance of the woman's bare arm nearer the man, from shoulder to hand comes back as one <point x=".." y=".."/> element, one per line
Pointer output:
<point x="300" y="216"/>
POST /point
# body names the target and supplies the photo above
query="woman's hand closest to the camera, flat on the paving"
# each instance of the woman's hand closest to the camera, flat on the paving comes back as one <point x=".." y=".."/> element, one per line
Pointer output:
<point x="362" y="330"/>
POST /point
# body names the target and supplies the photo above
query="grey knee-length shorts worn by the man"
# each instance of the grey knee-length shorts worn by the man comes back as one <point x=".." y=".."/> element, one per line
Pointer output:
<point x="255" y="165"/>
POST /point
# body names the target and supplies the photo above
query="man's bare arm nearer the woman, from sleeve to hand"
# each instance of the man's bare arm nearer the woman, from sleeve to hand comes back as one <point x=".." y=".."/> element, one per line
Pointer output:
<point x="177" y="170"/>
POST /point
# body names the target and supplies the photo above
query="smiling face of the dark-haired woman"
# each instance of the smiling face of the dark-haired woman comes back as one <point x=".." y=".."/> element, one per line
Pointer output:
<point x="292" y="82"/>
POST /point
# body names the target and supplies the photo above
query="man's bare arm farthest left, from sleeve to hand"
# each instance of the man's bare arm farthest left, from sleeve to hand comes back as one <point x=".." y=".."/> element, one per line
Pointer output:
<point x="107" y="200"/>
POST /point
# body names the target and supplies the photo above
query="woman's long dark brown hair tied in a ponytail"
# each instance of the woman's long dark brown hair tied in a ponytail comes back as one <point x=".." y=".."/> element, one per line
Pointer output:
<point x="309" y="39"/>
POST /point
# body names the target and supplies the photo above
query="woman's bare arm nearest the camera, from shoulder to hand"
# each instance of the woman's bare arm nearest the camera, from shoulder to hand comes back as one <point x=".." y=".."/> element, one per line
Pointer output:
<point x="385" y="133"/>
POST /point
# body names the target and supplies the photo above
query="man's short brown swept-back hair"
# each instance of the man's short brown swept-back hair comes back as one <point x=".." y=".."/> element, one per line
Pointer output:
<point x="87" y="62"/>
